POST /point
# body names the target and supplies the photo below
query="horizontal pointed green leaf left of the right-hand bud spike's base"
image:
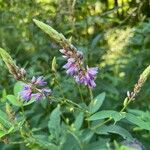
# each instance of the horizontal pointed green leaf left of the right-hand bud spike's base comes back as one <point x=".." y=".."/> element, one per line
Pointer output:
<point x="107" y="114"/>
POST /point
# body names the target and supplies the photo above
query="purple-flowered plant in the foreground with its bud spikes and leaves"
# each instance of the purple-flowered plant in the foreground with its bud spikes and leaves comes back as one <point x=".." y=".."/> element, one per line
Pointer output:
<point x="89" y="123"/>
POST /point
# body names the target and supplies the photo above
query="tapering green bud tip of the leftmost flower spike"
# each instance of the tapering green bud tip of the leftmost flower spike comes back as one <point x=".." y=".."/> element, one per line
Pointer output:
<point x="13" y="69"/>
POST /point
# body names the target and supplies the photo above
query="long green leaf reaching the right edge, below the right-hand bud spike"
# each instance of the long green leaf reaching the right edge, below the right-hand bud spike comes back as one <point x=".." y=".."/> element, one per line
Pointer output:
<point x="137" y="121"/>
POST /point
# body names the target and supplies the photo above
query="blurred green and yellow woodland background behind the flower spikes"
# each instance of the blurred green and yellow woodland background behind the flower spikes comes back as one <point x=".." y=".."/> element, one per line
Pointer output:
<point x="113" y="35"/>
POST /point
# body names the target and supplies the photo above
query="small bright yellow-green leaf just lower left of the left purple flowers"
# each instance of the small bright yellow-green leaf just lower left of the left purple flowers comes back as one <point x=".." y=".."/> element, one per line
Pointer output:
<point x="14" y="100"/>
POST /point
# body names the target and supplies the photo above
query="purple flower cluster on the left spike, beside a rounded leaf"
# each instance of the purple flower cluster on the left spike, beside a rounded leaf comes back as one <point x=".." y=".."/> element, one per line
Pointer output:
<point x="34" y="90"/>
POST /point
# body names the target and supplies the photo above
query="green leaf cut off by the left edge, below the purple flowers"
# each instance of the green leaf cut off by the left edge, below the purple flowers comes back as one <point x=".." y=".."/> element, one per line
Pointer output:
<point x="4" y="120"/>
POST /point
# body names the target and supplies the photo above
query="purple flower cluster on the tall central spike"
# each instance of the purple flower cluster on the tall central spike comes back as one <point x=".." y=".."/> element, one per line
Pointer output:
<point x="75" y="68"/>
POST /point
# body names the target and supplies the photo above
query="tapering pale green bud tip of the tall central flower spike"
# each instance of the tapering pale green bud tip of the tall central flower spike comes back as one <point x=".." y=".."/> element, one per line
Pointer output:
<point x="58" y="37"/>
